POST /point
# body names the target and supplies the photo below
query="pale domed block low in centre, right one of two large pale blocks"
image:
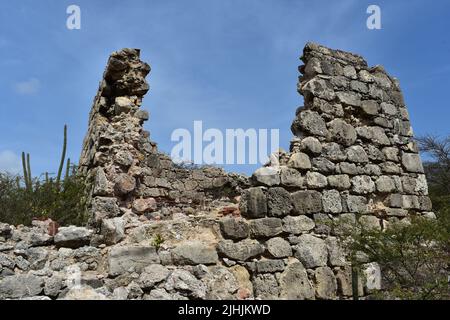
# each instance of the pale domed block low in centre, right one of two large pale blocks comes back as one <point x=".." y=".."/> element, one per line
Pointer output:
<point x="193" y="253"/>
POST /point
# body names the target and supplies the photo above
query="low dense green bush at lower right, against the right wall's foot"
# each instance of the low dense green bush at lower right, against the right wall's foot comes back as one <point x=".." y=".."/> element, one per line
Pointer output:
<point x="413" y="258"/>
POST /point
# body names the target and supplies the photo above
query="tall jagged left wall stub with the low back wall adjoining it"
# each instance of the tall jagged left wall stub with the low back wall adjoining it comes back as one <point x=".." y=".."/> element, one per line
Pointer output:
<point x="123" y="168"/>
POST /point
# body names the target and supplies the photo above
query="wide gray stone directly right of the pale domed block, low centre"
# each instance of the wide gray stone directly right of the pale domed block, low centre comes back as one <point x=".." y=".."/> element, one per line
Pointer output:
<point x="241" y="251"/>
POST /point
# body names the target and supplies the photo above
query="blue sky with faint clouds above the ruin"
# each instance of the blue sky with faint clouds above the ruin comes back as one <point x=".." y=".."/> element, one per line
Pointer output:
<point x="230" y="63"/>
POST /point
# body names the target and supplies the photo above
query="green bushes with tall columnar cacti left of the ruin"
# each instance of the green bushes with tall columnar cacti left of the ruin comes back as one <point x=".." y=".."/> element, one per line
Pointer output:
<point x="23" y="198"/>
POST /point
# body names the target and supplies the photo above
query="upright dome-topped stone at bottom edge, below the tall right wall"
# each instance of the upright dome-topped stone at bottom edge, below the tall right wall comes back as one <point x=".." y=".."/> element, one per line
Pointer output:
<point x="294" y="283"/>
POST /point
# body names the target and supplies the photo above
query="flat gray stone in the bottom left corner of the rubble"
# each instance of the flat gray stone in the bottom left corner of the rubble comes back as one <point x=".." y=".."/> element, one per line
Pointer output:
<point x="20" y="286"/>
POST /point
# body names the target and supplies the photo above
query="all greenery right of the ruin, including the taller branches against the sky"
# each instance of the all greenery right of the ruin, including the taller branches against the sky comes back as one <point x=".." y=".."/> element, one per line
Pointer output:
<point x="414" y="257"/>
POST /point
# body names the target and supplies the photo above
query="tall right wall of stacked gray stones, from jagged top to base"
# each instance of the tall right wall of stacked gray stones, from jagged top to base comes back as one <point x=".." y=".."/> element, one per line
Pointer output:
<point x="353" y="161"/>
